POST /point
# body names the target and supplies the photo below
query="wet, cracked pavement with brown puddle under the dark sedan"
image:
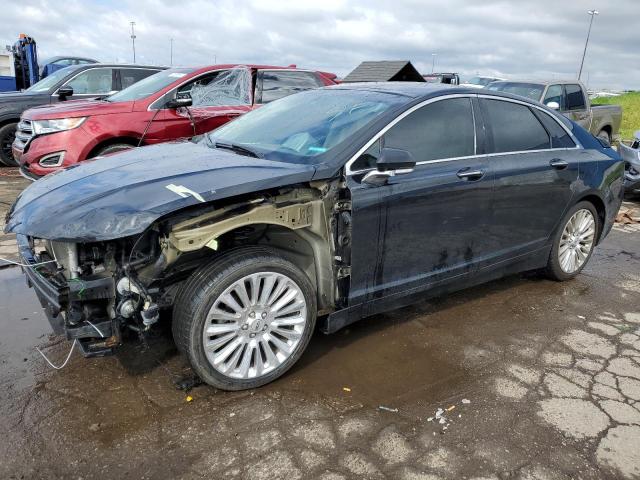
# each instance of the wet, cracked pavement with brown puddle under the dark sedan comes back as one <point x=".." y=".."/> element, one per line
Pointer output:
<point x="543" y="378"/>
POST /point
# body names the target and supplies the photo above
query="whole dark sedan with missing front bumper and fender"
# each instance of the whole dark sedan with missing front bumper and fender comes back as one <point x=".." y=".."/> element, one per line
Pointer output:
<point x="323" y="207"/>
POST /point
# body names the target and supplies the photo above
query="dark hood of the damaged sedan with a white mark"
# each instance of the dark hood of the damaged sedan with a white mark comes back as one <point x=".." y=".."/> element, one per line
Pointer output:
<point x="123" y="194"/>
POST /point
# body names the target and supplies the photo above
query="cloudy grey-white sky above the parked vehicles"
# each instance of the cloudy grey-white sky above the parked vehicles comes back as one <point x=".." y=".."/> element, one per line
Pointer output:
<point x="516" y="38"/>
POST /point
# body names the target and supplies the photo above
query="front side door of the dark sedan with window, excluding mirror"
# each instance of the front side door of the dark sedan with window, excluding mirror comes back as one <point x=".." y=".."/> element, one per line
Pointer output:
<point x="428" y="226"/>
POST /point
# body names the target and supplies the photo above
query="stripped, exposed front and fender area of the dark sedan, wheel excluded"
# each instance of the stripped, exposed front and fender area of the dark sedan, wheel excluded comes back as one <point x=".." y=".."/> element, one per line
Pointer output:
<point x="105" y="292"/>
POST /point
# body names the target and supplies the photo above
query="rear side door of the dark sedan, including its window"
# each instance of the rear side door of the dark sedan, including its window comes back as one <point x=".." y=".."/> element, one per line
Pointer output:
<point x="536" y="164"/>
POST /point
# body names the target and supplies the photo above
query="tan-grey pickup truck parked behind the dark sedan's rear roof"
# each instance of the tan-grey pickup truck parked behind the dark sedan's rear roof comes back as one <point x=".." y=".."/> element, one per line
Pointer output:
<point x="571" y="99"/>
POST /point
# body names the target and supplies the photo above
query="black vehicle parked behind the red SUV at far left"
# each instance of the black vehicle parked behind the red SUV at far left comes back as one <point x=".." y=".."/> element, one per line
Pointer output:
<point x="74" y="82"/>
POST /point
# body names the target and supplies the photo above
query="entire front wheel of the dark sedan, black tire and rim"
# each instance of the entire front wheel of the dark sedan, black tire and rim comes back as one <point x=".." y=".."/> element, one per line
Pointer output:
<point x="236" y="357"/>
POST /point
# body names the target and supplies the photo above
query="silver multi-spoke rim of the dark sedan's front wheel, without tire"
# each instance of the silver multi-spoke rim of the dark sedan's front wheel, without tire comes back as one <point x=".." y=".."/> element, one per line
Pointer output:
<point x="255" y="325"/>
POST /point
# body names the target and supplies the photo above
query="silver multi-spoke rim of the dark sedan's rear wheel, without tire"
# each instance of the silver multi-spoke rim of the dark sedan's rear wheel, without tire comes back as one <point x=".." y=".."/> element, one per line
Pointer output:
<point x="576" y="241"/>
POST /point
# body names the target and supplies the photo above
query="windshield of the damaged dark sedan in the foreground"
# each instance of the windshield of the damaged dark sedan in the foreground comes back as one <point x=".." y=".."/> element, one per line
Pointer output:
<point x="300" y="127"/>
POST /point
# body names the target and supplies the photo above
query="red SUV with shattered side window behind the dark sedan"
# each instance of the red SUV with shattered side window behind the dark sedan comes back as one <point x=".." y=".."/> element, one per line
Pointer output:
<point x="173" y="104"/>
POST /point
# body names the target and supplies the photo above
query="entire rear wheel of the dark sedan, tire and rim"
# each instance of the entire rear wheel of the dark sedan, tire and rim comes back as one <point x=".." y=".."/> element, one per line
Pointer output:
<point x="570" y="253"/>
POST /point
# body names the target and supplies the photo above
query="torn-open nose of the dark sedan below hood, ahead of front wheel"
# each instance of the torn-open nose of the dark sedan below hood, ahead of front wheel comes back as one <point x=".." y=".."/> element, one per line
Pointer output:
<point x="86" y="291"/>
